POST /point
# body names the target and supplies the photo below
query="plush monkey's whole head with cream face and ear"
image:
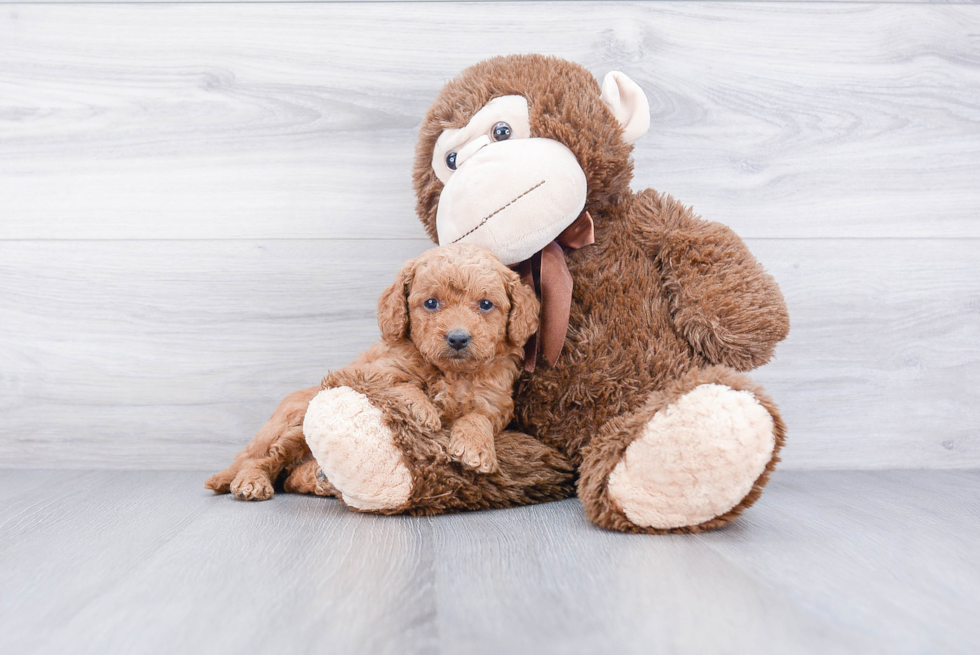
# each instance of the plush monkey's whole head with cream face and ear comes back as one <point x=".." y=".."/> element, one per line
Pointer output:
<point x="516" y="147"/>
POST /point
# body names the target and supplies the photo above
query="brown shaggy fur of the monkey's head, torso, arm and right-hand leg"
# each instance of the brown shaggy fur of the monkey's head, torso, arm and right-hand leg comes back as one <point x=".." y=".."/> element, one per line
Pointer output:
<point x="663" y="298"/>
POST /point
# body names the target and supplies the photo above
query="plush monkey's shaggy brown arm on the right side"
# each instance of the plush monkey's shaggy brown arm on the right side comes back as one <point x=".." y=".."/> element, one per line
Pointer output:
<point x="721" y="299"/>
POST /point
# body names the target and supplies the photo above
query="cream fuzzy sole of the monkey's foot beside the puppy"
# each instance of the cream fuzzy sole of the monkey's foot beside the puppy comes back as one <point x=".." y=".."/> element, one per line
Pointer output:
<point x="357" y="451"/>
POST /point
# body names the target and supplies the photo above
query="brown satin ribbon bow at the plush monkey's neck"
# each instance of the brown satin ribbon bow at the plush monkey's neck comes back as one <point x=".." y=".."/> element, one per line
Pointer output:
<point x="548" y="273"/>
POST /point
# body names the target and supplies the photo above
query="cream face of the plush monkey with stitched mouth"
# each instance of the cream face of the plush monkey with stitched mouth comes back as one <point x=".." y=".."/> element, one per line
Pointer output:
<point x="505" y="190"/>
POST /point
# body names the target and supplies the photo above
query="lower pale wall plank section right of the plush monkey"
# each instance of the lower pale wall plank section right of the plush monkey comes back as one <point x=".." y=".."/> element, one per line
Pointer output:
<point x="882" y="365"/>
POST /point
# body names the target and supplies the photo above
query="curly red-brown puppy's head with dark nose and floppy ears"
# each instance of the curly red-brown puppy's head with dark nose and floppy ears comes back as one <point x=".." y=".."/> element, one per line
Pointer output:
<point x="460" y="307"/>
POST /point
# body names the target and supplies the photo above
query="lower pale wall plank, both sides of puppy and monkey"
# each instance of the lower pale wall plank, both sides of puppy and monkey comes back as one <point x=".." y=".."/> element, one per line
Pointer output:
<point x="171" y="354"/>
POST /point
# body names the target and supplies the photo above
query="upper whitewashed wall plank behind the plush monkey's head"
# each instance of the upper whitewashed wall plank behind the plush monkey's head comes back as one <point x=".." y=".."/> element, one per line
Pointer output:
<point x="253" y="121"/>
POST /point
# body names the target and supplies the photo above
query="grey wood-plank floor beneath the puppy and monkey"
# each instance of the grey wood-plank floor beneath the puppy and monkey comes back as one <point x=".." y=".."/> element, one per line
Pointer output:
<point x="147" y="562"/>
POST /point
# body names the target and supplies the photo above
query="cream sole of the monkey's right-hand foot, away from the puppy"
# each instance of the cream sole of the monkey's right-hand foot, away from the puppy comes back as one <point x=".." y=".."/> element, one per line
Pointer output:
<point x="694" y="460"/>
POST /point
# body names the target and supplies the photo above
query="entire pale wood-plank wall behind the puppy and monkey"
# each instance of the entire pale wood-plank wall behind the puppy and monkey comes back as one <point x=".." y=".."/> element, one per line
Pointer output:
<point x="200" y="202"/>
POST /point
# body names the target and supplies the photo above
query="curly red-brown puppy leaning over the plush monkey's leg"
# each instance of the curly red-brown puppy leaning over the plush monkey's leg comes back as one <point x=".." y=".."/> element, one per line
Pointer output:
<point x="453" y="328"/>
